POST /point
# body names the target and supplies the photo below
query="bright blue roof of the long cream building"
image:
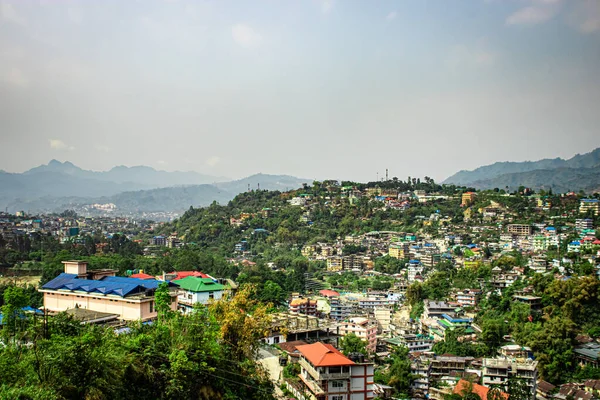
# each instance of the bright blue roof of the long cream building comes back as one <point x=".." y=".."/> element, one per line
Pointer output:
<point x="114" y="285"/>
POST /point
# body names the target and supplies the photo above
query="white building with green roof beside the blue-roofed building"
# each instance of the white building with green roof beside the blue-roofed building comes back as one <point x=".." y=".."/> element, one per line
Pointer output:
<point x="193" y="289"/>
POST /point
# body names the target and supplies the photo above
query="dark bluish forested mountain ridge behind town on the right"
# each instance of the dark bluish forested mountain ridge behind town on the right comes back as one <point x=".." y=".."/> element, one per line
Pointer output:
<point x="581" y="172"/>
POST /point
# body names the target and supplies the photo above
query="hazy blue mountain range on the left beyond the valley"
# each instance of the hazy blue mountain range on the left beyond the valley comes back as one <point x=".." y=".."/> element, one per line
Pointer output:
<point x="57" y="186"/>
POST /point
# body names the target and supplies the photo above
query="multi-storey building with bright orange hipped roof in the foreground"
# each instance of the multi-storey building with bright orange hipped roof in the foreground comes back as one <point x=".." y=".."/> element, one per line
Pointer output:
<point x="329" y="375"/>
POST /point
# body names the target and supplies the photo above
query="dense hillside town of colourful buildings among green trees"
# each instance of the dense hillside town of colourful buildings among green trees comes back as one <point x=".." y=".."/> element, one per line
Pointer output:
<point x="413" y="312"/>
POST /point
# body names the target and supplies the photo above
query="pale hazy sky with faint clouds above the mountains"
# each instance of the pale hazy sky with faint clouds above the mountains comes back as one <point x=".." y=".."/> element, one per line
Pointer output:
<point x="316" y="89"/>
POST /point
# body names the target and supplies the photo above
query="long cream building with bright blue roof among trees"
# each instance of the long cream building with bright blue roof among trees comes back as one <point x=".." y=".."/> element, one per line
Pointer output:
<point x="130" y="298"/>
